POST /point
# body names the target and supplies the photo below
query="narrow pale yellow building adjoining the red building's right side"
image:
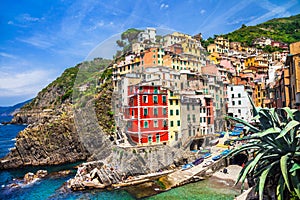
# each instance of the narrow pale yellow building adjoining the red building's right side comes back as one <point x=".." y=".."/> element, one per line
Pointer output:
<point x="174" y="116"/>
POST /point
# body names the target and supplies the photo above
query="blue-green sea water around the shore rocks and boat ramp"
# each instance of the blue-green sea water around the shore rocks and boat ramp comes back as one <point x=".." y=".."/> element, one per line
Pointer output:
<point x="53" y="186"/>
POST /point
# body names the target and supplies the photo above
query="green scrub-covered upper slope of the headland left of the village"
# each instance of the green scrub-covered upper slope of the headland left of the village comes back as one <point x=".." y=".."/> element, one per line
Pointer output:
<point x="61" y="90"/>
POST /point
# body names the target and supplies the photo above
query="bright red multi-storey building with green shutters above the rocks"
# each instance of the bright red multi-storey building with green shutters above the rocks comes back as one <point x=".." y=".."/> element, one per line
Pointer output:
<point x="147" y="114"/>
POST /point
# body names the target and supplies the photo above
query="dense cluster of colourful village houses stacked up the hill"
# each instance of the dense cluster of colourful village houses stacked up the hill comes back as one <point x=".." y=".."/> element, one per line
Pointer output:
<point x="172" y="90"/>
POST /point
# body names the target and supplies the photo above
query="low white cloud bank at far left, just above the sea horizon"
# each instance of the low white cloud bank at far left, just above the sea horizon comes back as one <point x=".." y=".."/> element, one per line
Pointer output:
<point x="24" y="83"/>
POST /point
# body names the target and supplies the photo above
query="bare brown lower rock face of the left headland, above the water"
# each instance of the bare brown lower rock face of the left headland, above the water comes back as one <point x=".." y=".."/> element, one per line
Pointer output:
<point x="51" y="141"/>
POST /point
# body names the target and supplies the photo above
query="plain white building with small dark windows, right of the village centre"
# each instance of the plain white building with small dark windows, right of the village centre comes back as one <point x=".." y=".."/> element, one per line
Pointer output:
<point x="238" y="102"/>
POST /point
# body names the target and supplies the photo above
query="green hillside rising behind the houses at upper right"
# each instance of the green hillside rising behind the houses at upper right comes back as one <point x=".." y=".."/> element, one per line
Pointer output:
<point x="285" y="30"/>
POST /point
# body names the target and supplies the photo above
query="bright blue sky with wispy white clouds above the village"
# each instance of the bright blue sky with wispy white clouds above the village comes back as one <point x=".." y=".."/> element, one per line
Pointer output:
<point x="40" y="39"/>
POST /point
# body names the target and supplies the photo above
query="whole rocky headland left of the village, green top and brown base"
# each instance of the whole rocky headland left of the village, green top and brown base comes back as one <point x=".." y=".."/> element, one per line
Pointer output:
<point x="51" y="136"/>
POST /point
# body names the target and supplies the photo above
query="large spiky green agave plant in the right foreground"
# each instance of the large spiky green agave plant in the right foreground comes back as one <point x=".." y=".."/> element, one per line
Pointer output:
<point x="275" y="144"/>
